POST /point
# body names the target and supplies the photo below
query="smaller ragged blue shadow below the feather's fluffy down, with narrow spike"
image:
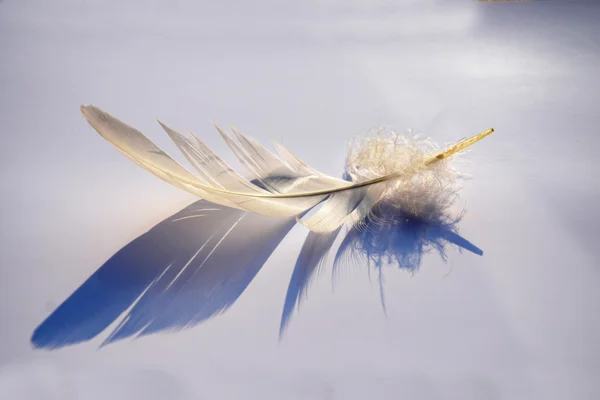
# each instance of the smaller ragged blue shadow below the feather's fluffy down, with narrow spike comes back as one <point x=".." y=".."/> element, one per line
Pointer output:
<point x="387" y="236"/>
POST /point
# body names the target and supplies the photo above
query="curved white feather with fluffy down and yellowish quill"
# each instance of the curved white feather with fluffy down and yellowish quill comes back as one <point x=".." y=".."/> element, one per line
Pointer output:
<point x="381" y="169"/>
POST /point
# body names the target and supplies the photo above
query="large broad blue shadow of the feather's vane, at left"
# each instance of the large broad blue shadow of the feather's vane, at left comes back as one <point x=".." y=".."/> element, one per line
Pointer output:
<point x="190" y="267"/>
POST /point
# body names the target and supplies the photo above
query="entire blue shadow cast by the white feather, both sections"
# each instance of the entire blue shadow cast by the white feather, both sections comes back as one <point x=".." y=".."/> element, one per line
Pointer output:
<point x="195" y="264"/>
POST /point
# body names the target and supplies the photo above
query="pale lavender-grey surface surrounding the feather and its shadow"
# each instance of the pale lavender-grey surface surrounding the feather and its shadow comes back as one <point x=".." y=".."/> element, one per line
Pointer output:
<point x="521" y="322"/>
